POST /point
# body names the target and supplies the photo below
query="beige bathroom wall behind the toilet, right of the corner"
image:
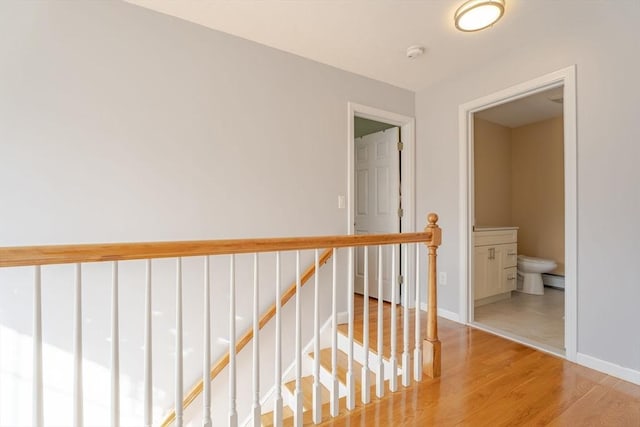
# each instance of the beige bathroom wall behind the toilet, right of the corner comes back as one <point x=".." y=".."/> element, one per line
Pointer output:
<point x="537" y="184"/>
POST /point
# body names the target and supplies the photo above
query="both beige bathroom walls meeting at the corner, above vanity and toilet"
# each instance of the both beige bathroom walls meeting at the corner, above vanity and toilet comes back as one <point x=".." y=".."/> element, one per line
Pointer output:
<point x="519" y="180"/>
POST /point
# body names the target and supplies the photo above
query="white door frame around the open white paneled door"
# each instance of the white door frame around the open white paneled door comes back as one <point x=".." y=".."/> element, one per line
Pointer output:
<point x="407" y="173"/>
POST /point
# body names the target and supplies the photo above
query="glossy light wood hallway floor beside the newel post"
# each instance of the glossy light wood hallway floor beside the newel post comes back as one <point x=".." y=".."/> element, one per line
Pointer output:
<point x="489" y="381"/>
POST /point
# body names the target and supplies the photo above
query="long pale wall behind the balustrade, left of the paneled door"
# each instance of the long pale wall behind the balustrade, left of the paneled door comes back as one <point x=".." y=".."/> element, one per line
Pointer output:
<point x="122" y="124"/>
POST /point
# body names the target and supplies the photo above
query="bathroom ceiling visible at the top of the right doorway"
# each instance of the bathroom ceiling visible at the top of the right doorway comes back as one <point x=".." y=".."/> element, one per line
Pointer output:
<point x="531" y="109"/>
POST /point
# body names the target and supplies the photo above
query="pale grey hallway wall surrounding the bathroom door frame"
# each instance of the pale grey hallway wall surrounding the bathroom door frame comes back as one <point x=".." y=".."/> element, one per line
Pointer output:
<point x="603" y="41"/>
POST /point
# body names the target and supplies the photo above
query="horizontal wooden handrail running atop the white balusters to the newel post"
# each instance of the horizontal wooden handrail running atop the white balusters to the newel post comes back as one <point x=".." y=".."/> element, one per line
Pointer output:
<point x="66" y="254"/>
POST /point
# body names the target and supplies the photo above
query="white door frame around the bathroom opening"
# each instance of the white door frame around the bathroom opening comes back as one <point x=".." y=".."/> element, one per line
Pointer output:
<point x="565" y="77"/>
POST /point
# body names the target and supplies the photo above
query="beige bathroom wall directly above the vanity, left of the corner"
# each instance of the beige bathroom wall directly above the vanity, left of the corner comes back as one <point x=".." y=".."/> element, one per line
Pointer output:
<point x="492" y="163"/>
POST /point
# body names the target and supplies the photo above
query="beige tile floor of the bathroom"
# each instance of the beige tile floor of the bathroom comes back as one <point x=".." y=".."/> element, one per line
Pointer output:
<point x="537" y="318"/>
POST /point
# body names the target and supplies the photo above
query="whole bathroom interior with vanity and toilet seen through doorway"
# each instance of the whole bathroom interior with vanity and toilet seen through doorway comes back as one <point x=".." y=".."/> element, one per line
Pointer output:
<point x="518" y="243"/>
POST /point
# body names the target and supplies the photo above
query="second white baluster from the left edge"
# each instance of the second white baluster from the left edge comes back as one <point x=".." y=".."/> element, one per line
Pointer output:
<point x="78" y="420"/>
